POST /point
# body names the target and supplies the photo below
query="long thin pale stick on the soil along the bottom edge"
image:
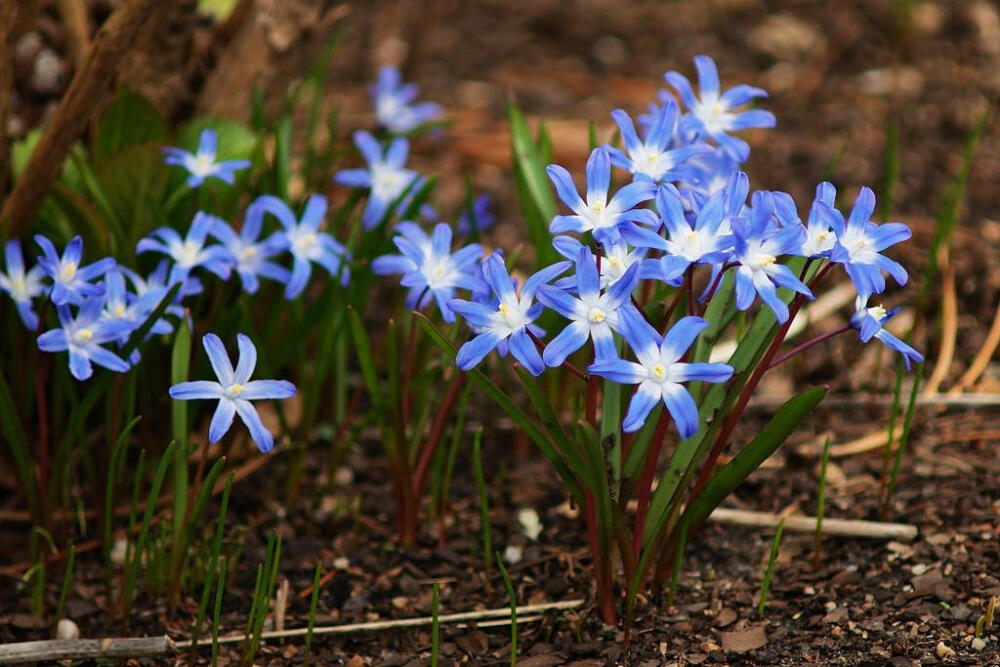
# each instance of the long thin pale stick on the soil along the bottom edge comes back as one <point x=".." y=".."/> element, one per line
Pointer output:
<point x="491" y="616"/>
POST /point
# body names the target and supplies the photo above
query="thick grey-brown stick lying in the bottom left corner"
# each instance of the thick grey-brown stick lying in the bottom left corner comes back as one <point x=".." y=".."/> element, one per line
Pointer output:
<point x="85" y="649"/>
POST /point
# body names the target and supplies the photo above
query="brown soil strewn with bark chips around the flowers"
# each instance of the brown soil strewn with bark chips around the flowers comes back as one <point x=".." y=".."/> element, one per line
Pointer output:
<point x="838" y="74"/>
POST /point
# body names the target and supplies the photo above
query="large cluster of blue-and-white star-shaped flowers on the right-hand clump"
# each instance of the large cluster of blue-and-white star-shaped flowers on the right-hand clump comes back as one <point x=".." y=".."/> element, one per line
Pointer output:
<point x="686" y="205"/>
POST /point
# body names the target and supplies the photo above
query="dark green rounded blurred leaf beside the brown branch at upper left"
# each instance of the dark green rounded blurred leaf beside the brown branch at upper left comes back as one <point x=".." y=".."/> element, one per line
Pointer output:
<point x="129" y="120"/>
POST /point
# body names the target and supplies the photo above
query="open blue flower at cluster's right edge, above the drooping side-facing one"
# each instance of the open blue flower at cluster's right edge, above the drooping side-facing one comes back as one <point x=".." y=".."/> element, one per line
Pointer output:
<point x="861" y="243"/>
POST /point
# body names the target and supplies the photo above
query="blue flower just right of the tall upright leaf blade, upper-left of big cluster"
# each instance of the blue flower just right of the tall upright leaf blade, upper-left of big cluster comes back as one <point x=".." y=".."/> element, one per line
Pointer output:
<point x="609" y="221"/>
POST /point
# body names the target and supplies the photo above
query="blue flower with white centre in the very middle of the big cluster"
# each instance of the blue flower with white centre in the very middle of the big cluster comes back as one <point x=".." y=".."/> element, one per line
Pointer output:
<point x="708" y="241"/>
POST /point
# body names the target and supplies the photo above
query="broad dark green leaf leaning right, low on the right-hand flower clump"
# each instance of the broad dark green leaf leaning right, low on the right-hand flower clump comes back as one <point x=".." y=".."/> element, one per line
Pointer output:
<point x="785" y="421"/>
